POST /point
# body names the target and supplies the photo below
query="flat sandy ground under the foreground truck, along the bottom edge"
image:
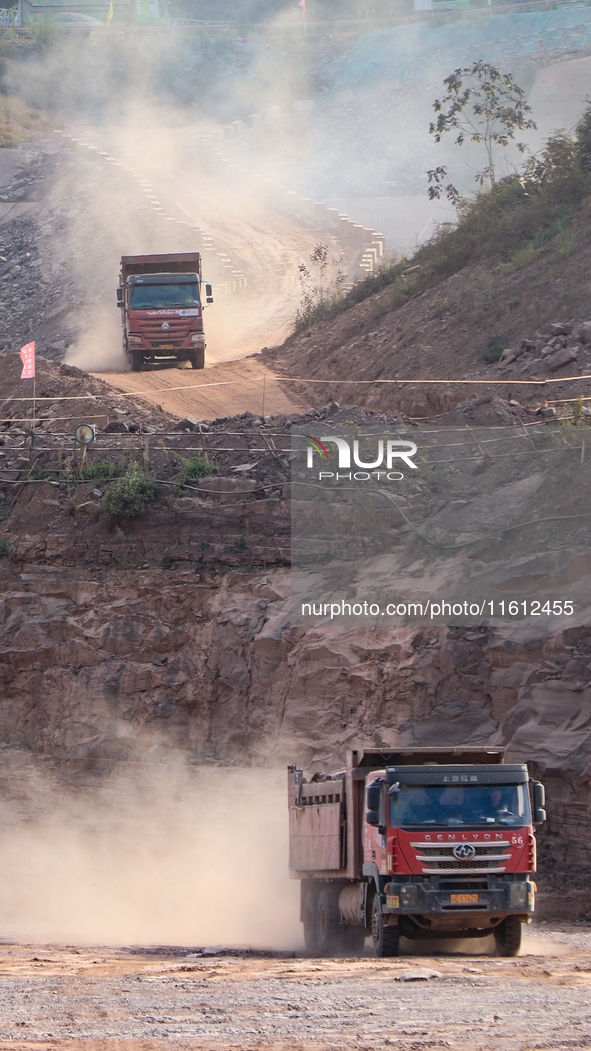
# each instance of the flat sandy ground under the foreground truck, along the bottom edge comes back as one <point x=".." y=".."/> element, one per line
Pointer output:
<point x="180" y="998"/>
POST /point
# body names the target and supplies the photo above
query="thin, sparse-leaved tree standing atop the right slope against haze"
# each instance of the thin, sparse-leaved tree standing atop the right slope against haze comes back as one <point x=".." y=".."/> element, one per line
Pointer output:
<point x="482" y="106"/>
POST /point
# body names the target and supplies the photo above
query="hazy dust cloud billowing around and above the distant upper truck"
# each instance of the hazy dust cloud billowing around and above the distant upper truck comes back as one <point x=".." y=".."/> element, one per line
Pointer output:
<point x="140" y="180"/>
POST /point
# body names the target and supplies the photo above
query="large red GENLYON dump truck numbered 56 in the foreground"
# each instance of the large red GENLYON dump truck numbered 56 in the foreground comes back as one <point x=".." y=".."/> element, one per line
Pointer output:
<point x="425" y="843"/>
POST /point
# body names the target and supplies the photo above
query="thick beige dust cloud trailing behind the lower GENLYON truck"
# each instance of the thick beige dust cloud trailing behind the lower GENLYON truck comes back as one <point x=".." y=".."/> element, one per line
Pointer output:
<point x="154" y="855"/>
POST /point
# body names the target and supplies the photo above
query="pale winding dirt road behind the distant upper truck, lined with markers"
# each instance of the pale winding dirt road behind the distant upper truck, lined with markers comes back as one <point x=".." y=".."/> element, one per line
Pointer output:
<point x="243" y="224"/>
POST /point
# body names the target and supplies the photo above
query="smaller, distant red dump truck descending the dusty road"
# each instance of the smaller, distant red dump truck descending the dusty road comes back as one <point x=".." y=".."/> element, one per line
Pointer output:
<point x="162" y="310"/>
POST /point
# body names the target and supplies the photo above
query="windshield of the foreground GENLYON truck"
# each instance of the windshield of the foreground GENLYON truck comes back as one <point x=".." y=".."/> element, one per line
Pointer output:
<point x="454" y="806"/>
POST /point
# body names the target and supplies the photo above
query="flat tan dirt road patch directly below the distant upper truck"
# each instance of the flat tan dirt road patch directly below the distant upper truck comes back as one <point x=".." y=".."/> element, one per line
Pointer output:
<point x="220" y="390"/>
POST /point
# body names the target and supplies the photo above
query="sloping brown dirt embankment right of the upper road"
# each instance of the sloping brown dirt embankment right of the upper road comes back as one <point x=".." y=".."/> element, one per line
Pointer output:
<point x="442" y="335"/>
